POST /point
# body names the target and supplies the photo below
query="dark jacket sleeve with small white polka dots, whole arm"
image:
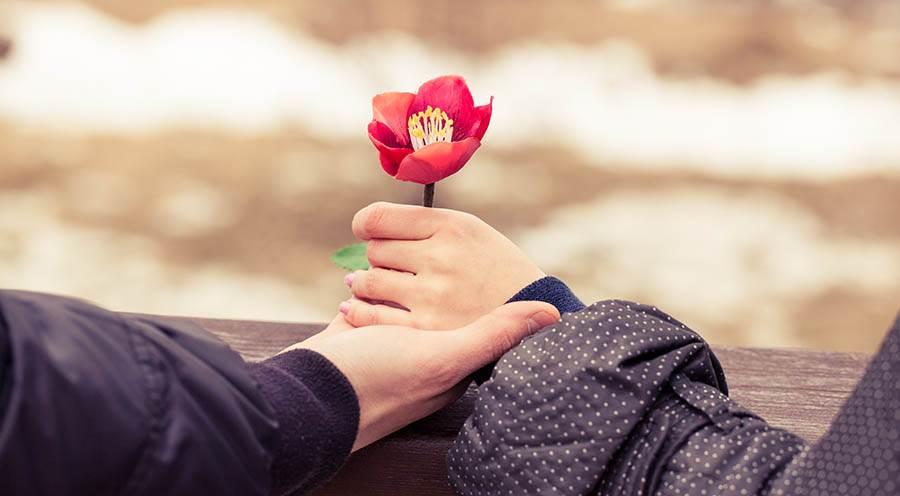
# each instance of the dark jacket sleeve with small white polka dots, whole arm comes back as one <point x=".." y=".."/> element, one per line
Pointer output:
<point x="617" y="399"/>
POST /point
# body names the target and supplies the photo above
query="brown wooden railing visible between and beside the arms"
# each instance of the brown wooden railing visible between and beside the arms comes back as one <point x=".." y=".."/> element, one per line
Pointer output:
<point x="795" y="389"/>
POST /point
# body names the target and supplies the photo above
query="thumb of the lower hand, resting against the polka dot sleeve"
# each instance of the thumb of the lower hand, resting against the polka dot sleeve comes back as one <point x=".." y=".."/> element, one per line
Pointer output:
<point x="491" y="336"/>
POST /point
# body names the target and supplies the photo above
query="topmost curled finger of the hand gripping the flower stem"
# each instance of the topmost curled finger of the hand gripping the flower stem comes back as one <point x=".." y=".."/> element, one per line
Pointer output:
<point x="382" y="220"/>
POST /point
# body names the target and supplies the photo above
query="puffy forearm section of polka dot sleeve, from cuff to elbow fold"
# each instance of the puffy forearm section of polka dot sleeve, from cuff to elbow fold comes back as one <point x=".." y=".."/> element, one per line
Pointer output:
<point x="560" y="405"/>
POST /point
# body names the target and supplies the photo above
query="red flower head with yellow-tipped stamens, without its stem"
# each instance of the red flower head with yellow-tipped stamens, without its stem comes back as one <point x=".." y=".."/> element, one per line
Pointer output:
<point x="428" y="136"/>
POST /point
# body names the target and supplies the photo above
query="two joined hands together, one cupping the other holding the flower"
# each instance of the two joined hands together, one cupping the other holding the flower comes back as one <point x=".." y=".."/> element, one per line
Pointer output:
<point x="428" y="314"/>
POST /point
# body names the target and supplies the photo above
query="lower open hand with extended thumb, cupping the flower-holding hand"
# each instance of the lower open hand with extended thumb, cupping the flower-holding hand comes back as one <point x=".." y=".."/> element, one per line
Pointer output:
<point x="402" y="374"/>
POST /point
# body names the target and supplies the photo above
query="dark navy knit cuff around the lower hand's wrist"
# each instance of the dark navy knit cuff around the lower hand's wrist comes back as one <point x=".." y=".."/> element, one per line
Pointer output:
<point x="318" y="417"/>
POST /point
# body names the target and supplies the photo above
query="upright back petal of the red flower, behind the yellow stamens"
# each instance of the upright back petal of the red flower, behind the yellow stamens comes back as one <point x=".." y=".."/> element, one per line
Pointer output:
<point x="450" y="94"/>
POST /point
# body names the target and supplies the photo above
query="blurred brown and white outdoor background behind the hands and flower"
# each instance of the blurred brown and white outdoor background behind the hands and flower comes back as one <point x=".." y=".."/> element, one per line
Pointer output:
<point x="736" y="163"/>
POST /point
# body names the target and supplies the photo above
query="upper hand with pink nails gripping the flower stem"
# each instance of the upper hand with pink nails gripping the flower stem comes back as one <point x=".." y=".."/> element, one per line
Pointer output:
<point x="442" y="267"/>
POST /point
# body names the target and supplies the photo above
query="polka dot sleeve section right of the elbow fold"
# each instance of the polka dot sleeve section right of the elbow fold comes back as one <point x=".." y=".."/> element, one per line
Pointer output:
<point x="682" y="451"/>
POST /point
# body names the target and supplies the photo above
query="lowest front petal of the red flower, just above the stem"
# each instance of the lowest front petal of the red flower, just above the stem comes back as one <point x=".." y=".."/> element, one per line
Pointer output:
<point x="436" y="161"/>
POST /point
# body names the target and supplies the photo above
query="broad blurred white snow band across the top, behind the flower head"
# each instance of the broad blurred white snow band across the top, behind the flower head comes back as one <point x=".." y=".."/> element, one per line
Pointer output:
<point x="76" y="70"/>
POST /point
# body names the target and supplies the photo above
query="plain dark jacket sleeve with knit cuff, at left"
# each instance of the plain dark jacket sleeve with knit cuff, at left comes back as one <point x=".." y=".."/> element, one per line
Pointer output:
<point x="93" y="402"/>
